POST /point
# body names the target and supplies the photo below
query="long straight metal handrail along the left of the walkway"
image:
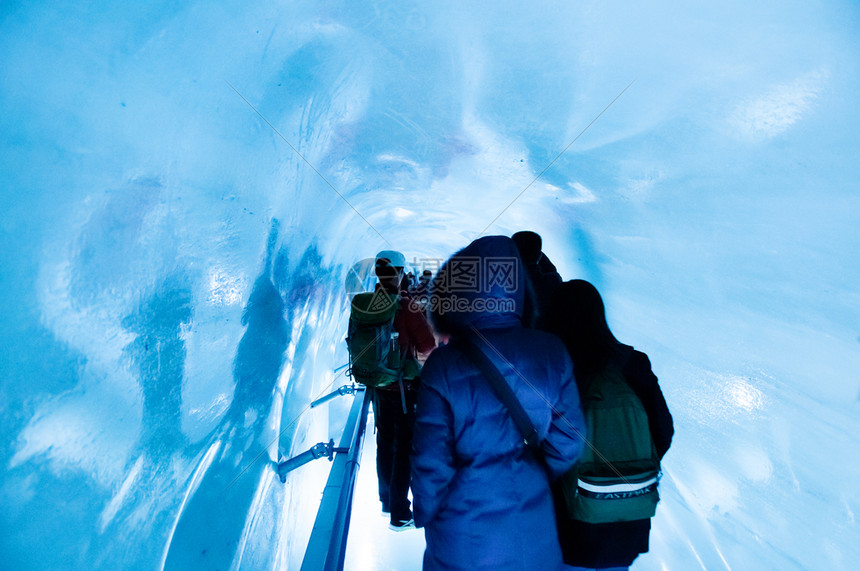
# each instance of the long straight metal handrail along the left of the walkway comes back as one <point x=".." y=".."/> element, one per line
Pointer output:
<point x="327" y="546"/>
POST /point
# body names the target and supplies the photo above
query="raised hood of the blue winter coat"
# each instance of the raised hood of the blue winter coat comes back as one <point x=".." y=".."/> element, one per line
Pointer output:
<point x="481" y="286"/>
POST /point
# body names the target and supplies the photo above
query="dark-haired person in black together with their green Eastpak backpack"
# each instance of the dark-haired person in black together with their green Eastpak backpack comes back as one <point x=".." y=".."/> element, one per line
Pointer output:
<point x="579" y="319"/>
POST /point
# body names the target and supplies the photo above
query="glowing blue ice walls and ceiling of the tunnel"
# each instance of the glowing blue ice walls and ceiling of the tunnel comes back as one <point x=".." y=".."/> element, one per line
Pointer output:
<point x="185" y="186"/>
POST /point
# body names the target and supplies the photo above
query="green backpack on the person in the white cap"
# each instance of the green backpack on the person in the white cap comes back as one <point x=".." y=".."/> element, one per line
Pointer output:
<point x="374" y="355"/>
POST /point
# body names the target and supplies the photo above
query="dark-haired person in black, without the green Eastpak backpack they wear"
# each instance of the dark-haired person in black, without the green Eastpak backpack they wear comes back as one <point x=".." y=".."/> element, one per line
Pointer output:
<point x="578" y="317"/>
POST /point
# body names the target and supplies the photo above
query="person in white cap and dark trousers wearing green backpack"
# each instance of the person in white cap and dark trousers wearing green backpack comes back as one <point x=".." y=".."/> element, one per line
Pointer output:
<point x="395" y="395"/>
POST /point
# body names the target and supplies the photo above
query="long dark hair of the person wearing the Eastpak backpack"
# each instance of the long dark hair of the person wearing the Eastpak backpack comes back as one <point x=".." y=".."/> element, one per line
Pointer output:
<point x="579" y="318"/>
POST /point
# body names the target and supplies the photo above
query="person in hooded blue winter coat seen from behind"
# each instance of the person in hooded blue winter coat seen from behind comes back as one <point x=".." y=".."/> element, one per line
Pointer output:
<point x="481" y="495"/>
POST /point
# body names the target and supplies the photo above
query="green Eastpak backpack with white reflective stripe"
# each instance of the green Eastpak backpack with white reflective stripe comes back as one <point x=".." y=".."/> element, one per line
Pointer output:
<point x="616" y="477"/>
